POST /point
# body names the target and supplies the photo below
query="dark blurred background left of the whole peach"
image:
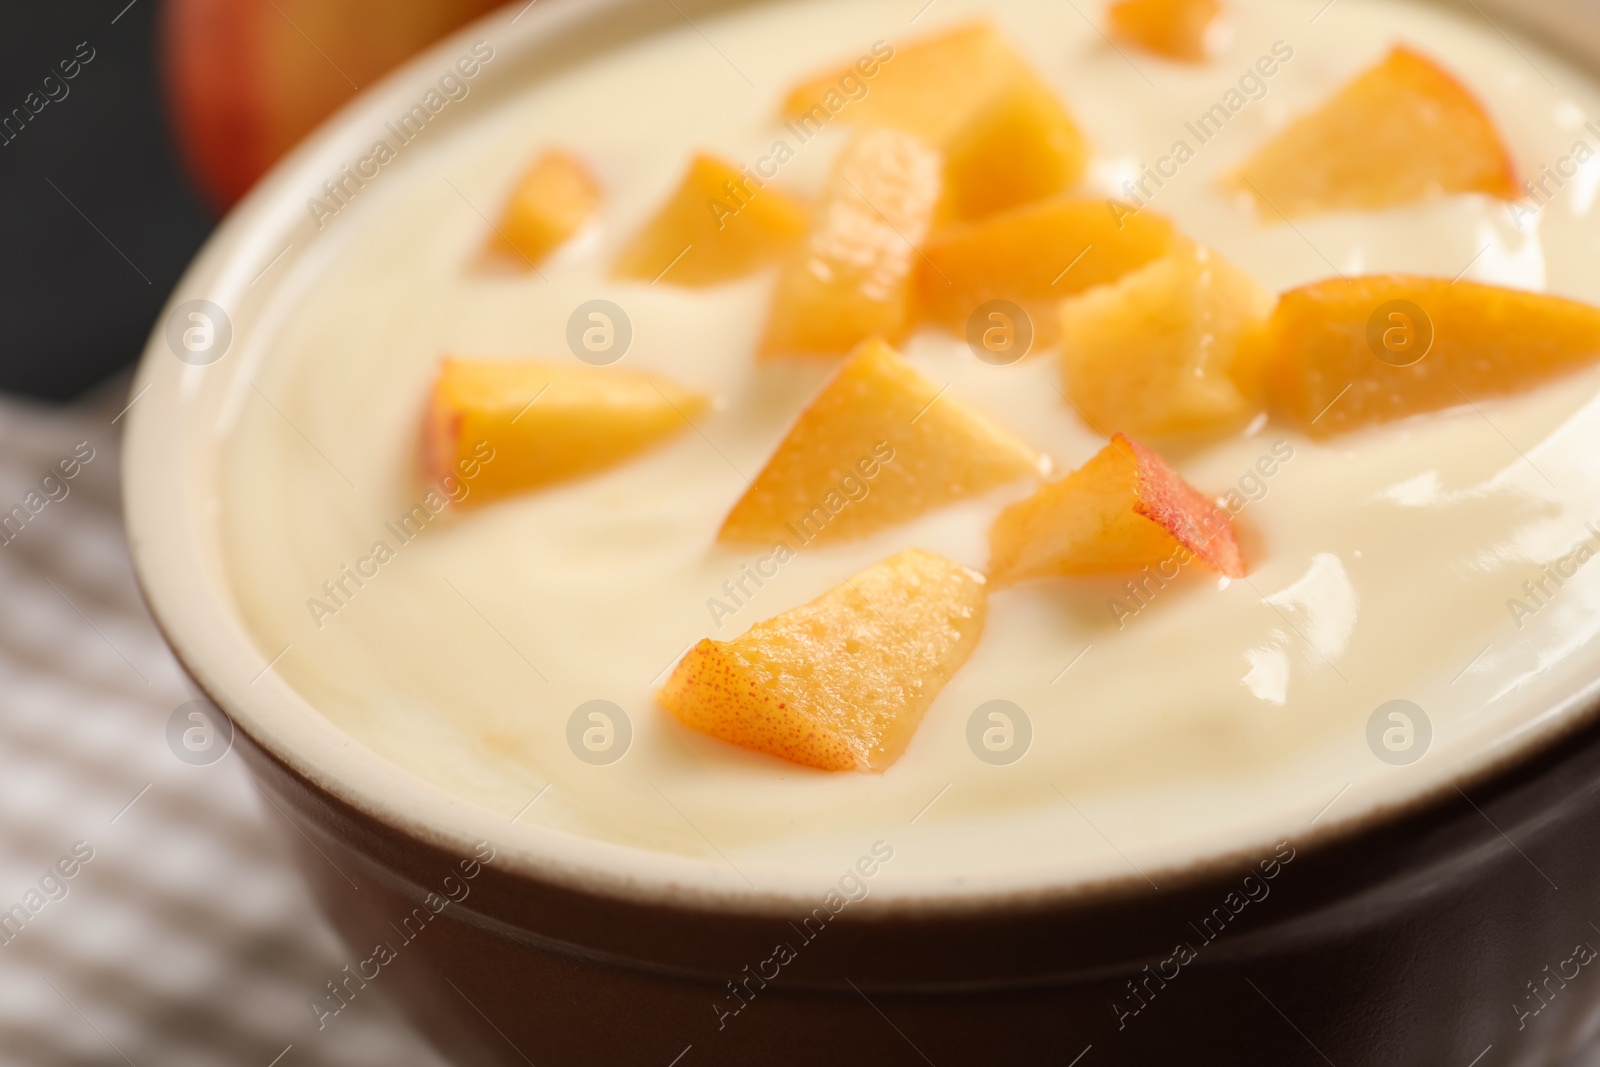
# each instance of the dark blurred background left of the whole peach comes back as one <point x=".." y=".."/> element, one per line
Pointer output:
<point x="84" y="271"/>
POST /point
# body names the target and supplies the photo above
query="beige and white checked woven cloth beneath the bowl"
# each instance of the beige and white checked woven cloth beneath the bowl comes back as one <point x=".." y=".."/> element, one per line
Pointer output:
<point x="182" y="935"/>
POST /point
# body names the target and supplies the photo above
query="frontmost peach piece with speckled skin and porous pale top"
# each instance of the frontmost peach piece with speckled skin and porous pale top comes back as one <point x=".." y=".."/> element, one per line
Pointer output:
<point x="839" y="684"/>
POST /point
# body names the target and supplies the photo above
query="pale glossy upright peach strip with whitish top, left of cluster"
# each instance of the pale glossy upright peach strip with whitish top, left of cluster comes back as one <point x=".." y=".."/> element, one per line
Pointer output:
<point x="850" y="278"/>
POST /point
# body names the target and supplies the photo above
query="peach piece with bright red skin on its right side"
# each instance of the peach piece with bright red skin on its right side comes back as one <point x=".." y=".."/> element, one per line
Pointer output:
<point x="1121" y="511"/>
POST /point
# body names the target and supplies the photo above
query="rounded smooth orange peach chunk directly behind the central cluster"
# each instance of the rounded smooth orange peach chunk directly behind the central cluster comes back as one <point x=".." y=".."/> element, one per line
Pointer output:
<point x="1020" y="146"/>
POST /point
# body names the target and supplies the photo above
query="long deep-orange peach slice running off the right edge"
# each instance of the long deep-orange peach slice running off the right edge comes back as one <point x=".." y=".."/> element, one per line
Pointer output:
<point x="1343" y="354"/>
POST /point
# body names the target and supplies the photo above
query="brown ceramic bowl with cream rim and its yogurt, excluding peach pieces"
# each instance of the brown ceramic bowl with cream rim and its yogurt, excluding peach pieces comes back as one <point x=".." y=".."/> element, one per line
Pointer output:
<point x="1335" y="812"/>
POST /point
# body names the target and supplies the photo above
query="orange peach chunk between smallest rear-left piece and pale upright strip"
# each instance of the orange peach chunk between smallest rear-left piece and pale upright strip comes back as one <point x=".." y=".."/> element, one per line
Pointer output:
<point x="721" y="225"/>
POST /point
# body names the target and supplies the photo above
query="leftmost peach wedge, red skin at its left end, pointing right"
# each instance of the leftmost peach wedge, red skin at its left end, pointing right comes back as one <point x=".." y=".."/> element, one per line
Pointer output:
<point x="524" y="423"/>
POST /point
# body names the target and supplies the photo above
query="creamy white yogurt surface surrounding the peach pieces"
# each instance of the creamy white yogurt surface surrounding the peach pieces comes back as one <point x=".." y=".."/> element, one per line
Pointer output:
<point x="1217" y="716"/>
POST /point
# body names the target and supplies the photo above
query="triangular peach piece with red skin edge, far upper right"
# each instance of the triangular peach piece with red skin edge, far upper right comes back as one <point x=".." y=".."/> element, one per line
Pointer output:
<point x="1402" y="132"/>
